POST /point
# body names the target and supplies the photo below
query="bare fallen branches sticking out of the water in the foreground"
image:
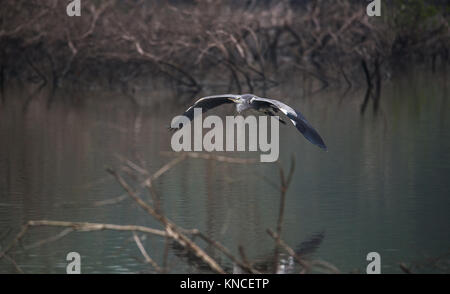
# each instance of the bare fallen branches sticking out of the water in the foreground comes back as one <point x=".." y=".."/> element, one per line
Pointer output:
<point x="177" y="236"/>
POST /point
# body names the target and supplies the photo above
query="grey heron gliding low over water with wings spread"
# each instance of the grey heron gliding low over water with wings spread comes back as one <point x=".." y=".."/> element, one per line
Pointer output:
<point x="266" y="106"/>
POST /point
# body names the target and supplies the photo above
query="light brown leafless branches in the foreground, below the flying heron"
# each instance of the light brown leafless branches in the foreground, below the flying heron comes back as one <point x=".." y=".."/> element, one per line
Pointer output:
<point x="171" y="231"/>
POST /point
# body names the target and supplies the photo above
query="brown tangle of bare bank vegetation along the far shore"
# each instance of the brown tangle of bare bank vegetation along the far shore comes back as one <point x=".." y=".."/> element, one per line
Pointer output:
<point x="239" y="46"/>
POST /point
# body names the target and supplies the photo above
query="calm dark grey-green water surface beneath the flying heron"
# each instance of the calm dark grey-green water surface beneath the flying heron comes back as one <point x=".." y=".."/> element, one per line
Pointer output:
<point x="383" y="185"/>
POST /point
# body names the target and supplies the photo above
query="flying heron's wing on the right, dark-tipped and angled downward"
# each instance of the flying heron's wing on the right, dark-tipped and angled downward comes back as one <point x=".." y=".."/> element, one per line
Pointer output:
<point x="296" y="118"/>
